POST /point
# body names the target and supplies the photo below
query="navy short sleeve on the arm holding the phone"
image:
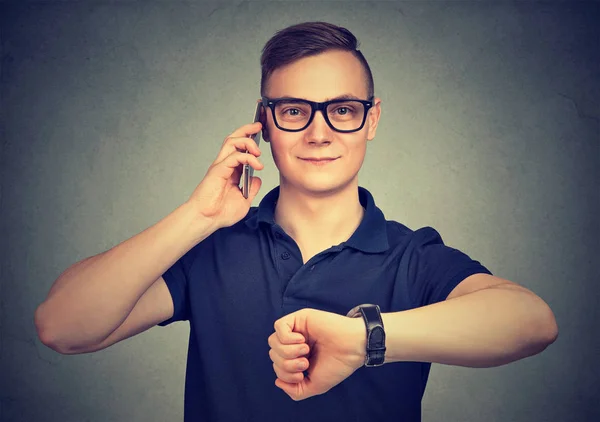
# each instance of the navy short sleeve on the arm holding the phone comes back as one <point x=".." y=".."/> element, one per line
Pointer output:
<point x="177" y="278"/>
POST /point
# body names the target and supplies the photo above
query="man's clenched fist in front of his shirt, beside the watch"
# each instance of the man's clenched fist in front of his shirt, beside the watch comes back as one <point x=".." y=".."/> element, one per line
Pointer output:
<point x="330" y="347"/>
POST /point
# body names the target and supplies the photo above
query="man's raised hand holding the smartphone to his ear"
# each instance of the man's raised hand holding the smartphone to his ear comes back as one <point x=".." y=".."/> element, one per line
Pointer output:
<point x="218" y="197"/>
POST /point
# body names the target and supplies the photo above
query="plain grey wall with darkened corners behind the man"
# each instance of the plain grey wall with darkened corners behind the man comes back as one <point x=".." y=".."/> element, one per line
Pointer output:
<point x="113" y="111"/>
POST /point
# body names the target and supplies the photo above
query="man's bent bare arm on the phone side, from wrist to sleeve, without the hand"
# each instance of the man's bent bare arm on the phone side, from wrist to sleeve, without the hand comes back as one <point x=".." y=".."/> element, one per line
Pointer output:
<point x="118" y="293"/>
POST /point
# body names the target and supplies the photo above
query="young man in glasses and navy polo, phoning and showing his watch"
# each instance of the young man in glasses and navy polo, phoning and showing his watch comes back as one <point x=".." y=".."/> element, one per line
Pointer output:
<point x="267" y="289"/>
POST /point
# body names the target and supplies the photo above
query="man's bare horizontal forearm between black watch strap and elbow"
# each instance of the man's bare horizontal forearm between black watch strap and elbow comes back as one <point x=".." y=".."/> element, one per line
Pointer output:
<point x="486" y="328"/>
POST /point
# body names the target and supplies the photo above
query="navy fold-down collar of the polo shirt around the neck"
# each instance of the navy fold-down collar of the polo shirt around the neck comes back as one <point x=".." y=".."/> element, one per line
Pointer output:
<point x="370" y="236"/>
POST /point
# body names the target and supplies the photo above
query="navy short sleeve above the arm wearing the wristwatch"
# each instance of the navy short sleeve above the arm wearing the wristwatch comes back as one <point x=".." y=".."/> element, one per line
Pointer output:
<point x="436" y="269"/>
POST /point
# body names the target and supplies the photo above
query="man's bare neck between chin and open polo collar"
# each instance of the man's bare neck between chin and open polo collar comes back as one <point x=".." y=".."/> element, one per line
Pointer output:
<point x="320" y="219"/>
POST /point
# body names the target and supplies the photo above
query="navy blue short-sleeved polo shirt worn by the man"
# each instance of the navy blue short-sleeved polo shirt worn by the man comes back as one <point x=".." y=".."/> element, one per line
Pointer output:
<point x="236" y="283"/>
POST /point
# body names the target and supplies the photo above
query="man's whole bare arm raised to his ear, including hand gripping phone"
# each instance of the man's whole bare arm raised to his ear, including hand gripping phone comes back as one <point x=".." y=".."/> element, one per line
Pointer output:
<point x="108" y="297"/>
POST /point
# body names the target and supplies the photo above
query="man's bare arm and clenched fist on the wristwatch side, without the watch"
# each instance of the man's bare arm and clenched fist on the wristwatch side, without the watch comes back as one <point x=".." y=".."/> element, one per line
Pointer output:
<point x="486" y="327"/>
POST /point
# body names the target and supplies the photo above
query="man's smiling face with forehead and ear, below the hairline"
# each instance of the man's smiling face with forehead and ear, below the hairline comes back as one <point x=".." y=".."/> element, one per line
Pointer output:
<point x="320" y="78"/>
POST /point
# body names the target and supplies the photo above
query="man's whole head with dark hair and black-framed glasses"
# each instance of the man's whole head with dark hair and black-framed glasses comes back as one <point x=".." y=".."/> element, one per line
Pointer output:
<point x="317" y="61"/>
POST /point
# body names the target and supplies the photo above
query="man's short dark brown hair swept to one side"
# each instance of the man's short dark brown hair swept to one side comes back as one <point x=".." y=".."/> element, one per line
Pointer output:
<point x="308" y="39"/>
